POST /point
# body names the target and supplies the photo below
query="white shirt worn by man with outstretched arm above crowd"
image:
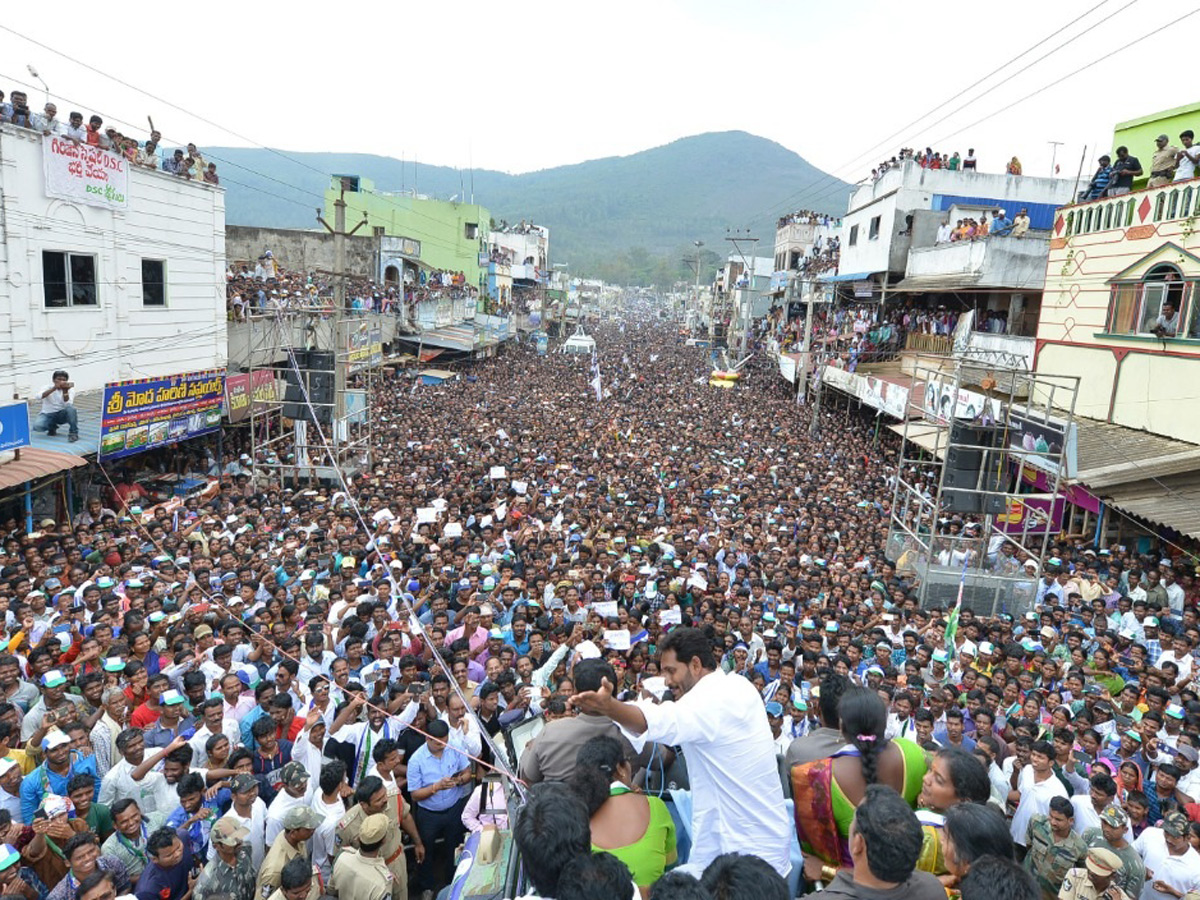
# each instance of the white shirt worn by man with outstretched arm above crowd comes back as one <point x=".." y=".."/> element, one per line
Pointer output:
<point x="737" y="800"/>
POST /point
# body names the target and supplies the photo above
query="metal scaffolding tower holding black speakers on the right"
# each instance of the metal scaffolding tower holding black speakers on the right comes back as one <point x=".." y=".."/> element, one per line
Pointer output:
<point x="979" y="479"/>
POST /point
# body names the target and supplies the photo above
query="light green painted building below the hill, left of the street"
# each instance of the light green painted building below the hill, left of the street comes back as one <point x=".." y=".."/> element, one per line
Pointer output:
<point x="434" y="235"/>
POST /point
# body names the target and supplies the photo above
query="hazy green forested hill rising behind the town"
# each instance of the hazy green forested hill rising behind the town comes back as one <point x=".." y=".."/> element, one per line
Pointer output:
<point x="637" y="213"/>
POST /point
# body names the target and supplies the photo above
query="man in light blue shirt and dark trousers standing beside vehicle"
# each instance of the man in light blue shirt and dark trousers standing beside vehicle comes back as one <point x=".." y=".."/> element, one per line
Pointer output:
<point x="439" y="778"/>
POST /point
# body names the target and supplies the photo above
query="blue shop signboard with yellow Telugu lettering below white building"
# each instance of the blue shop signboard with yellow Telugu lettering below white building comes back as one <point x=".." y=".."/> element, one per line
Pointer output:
<point x="149" y="413"/>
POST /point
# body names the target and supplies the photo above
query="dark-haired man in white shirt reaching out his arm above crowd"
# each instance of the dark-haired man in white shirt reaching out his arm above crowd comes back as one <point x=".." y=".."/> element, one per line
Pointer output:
<point x="721" y="723"/>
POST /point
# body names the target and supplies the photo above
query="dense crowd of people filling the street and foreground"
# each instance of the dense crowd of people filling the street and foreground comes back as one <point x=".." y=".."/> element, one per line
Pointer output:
<point x="296" y="689"/>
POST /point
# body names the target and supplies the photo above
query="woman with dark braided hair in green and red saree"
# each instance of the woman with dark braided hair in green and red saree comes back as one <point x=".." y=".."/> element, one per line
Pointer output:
<point x="826" y="793"/>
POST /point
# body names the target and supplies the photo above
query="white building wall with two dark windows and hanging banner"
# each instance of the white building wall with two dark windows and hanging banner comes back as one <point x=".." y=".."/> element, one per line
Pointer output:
<point x="107" y="271"/>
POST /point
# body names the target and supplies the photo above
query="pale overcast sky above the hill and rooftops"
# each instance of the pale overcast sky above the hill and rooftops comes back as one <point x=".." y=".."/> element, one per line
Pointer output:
<point x="535" y="85"/>
